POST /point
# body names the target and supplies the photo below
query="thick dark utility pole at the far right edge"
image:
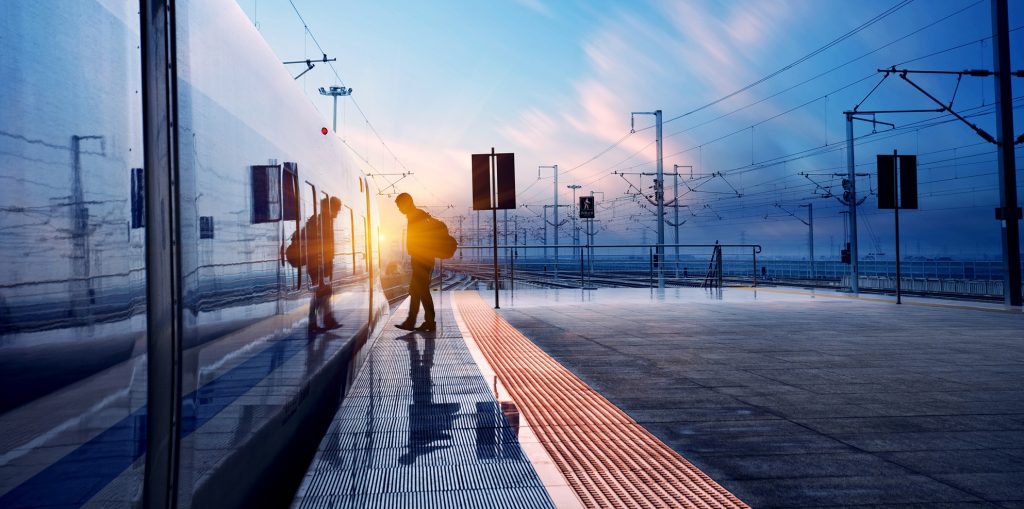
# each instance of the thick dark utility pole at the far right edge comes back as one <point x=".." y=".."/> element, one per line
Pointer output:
<point x="1009" y="213"/>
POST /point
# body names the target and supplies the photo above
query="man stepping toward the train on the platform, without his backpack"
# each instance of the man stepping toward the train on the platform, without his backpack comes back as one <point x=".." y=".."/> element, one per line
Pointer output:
<point x="417" y="243"/>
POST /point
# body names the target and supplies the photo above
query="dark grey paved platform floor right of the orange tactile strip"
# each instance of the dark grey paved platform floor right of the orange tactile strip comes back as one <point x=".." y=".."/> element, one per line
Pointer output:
<point x="794" y="400"/>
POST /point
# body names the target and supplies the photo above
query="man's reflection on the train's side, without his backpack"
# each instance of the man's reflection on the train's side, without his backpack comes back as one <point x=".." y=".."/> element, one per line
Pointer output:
<point x="320" y="258"/>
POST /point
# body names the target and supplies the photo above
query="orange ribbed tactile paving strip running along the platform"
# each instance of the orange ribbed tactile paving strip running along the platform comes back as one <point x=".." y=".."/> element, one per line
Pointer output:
<point x="608" y="458"/>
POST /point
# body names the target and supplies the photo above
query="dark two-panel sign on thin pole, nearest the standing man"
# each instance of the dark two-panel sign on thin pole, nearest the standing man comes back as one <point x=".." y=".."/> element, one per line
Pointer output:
<point x="494" y="189"/>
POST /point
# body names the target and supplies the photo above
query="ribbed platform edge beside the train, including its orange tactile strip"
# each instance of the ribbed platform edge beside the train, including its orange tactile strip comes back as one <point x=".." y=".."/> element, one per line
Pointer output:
<point x="477" y="416"/>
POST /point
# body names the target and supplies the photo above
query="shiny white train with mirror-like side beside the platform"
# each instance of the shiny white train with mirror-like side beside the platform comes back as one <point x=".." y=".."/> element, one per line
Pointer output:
<point x="157" y="350"/>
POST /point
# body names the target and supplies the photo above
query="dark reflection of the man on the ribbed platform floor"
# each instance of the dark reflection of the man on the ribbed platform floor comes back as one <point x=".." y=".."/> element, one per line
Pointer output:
<point x="430" y="422"/>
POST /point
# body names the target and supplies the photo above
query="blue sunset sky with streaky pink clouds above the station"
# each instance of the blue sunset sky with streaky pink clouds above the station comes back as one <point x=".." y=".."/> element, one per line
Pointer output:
<point x="556" y="83"/>
